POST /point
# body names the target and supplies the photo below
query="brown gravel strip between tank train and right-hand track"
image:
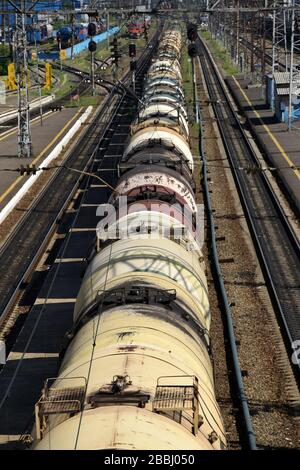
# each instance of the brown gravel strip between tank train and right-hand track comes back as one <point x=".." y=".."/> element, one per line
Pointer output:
<point x="269" y="382"/>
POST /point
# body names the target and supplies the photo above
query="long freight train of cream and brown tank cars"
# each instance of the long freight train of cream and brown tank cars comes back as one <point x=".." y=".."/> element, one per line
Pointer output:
<point x="136" y="371"/>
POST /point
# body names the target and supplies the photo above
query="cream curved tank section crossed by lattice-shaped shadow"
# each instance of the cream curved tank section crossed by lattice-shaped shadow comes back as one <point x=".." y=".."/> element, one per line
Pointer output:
<point x="160" y="258"/>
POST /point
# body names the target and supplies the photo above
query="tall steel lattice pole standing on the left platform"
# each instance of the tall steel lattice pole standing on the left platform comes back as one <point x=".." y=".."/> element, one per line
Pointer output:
<point x="24" y="134"/>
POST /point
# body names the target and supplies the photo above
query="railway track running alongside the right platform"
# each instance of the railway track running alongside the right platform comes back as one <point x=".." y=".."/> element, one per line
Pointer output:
<point x="275" y="241"/>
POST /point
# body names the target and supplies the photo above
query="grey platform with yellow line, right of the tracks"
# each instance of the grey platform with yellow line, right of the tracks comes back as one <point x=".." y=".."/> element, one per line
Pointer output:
<point x="281" y="147"/>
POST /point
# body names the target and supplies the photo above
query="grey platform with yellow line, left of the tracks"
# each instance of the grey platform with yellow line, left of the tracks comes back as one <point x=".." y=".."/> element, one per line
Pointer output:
<point x="44" y="139"/>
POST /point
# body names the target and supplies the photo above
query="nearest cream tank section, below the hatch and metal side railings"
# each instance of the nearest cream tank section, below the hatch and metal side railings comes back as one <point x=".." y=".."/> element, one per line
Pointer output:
<point x="105" y="429"/>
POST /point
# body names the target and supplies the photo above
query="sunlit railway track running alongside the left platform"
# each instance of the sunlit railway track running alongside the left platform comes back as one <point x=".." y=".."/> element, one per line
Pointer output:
<point x="22" y="250"/>
